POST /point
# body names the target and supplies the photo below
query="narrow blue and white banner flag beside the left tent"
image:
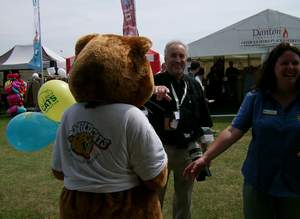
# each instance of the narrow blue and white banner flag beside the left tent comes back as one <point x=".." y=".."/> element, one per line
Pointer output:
<point x="37" y="60"/>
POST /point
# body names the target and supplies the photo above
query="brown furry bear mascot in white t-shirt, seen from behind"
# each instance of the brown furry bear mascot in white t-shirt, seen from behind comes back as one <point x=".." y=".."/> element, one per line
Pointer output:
<point x="108" y="155"/>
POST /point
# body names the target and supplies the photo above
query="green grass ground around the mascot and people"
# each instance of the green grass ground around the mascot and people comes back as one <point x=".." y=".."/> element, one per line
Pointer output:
<point x="29" y="191"/>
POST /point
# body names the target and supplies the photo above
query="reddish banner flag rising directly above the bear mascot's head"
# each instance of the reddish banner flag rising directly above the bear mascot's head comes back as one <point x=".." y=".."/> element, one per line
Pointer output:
<point x="129" y="24"/>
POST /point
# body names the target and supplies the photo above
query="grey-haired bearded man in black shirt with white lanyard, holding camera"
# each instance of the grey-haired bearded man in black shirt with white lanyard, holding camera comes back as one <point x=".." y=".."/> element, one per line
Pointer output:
<point x="178" y="111"/>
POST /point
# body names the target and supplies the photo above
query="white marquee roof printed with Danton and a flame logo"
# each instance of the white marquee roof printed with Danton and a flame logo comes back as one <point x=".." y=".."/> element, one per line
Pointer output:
<point x="253" y="35"/>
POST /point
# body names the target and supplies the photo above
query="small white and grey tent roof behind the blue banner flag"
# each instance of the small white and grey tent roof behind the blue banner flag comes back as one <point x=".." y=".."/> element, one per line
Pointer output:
<point x="20" y="56"/>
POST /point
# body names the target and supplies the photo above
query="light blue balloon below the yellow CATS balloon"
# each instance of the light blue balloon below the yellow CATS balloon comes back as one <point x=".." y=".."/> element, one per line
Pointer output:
<point x="31" y="131"/>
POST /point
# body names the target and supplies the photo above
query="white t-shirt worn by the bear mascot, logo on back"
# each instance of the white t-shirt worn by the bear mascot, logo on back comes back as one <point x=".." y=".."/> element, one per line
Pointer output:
<point x="107" y="148"/>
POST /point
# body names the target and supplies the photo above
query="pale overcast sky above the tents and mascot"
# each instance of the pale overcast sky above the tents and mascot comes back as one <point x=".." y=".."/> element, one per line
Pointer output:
<point x="64" y="21"/>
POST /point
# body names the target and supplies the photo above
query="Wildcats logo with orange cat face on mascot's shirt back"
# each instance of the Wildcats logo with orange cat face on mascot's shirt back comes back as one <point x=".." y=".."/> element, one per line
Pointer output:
<point x="85" y="138"/>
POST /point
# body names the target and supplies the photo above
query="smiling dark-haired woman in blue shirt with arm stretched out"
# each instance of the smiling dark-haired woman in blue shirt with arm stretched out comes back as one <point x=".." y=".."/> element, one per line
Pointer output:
<point x="271" y="170"/>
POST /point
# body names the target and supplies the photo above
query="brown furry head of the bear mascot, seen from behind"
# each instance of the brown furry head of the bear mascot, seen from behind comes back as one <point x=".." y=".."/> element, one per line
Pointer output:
<point x="111" y="69"/>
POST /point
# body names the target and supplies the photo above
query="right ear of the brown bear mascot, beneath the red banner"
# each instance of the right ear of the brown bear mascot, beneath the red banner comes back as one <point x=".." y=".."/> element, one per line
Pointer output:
<point x="139" y="46"/>
